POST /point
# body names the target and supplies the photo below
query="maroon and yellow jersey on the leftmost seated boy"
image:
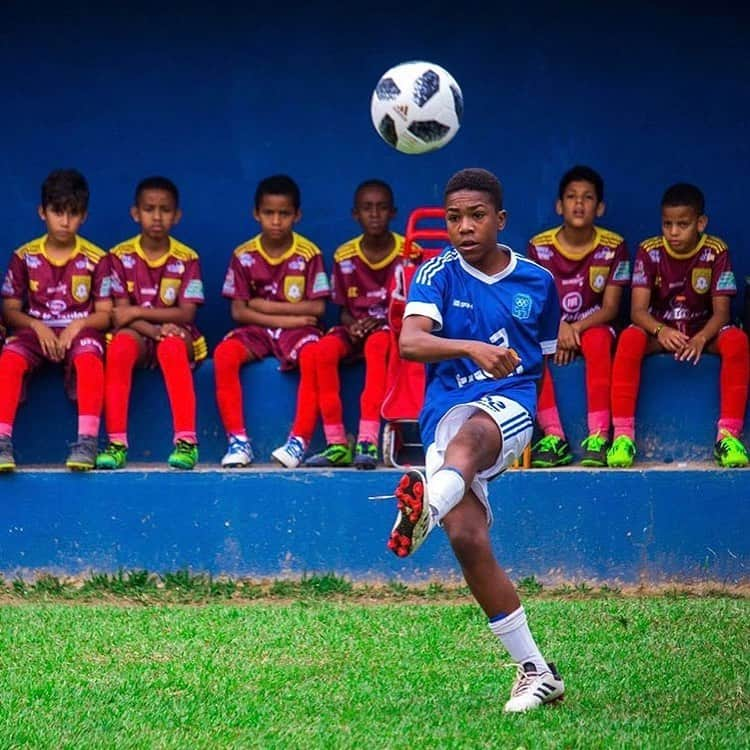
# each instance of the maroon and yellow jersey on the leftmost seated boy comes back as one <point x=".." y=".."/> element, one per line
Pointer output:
<point x="57" y="293"/>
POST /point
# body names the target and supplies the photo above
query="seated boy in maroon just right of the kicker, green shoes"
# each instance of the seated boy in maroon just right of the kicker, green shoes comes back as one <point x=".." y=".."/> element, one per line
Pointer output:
<point x="591" y="267"/>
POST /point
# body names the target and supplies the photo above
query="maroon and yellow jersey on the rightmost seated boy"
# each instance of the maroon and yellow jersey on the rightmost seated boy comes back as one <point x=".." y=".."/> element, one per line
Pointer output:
<point x="682" y="286"/>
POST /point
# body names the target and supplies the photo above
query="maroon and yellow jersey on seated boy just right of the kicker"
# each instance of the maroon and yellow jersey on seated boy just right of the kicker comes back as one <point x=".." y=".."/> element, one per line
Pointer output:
<point x="582" y="279"/>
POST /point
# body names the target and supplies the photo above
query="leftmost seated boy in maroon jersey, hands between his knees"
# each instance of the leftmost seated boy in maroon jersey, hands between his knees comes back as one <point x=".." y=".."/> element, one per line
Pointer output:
<point x="56" y="304"/>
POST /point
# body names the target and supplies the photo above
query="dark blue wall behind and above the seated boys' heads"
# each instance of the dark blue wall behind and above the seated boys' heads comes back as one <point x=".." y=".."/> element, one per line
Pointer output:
<point x="219" y="96"/>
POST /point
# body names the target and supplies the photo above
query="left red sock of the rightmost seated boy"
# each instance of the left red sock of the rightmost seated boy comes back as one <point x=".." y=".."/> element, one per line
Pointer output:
<point x="626" y="379"/>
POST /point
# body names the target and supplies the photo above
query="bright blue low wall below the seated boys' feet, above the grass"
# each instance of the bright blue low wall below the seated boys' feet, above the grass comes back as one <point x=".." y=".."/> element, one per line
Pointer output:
<point x="625" y="526"/>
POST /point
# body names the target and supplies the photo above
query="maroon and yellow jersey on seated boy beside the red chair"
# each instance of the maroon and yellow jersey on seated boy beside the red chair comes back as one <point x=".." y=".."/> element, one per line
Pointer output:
<point x="362" y="288"/>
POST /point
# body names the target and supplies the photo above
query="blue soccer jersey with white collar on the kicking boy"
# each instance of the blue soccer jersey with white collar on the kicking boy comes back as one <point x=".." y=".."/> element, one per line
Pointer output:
<point x="517" y="308"/>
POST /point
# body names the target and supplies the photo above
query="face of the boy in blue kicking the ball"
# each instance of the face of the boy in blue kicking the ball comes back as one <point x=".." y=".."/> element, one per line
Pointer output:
<point x="473" y="222"/>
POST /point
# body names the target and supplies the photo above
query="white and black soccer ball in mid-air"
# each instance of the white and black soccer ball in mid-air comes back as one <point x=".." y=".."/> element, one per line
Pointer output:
<point x="417" y="107"/>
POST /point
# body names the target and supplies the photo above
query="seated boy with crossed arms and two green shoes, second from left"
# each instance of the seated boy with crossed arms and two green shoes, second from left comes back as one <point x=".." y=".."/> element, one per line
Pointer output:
<point x="157" y="286"/>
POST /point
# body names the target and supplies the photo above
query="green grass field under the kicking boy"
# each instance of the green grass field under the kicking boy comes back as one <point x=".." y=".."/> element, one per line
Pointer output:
<point x="333" y="670"/>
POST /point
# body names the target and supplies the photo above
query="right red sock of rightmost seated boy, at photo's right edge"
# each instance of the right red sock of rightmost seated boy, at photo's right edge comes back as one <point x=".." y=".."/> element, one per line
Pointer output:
<point x="733" y="380"/>
